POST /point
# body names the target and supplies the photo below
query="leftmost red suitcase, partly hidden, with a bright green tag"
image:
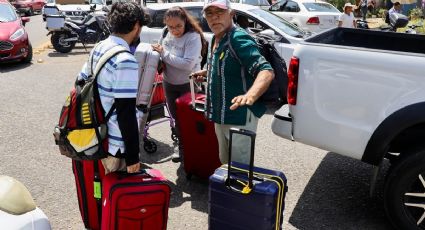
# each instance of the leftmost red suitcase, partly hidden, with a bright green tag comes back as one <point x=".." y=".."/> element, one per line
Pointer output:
<point x="88" y="174"/>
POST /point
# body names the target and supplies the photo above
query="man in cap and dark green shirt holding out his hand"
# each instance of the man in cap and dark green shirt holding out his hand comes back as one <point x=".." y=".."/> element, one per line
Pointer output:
<point x="231" y="97"/>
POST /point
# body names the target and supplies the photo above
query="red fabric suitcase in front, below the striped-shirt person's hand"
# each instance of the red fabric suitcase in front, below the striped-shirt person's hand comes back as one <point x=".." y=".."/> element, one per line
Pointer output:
<point x="135" y="201"/>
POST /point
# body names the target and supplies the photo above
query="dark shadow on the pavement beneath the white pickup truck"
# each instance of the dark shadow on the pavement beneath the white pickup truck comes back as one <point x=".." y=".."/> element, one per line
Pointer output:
<point x="337" y="197"/>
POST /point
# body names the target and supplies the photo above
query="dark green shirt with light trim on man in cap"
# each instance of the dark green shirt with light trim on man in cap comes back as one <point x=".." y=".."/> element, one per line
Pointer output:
<point x="225" y="81"/>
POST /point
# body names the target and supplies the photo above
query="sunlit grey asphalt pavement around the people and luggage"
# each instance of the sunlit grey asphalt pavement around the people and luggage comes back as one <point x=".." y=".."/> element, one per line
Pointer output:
<point x="326" y="190"/>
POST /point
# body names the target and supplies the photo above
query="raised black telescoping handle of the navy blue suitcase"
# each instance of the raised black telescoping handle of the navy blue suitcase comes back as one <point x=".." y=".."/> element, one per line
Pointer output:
<point x="248" y="187"/>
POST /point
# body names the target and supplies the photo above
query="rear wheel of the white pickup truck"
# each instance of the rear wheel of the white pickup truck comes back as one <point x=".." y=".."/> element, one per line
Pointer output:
<point x="404" y="192"/>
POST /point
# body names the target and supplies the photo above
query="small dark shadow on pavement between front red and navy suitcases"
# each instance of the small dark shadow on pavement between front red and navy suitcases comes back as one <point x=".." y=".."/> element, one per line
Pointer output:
<point x="194" y="190"/>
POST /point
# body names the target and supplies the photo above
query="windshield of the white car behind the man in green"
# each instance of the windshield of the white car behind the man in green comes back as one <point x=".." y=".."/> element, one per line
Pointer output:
<point x="279" y="23"/>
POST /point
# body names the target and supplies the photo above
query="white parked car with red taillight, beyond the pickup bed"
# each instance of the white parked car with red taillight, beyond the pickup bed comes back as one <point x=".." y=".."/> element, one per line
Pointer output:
<point x="309" y="15"/>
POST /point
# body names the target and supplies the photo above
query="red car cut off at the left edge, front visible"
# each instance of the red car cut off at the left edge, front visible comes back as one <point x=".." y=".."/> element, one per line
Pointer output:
<point x="14" y="42"/>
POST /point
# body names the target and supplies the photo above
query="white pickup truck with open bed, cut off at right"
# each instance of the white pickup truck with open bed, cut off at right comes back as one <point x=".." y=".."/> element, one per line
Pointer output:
<point x="361" y="93"/>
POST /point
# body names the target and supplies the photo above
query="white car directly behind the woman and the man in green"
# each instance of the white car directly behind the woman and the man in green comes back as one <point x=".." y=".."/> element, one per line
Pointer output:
<point x="287" y="35"/>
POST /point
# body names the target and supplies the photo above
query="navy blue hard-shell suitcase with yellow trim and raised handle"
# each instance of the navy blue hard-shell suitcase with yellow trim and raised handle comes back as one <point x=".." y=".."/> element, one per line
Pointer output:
<point x="247" y="198"/>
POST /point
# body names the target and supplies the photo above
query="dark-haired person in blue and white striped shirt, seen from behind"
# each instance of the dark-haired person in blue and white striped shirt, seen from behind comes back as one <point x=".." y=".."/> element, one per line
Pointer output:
<point x="117" y="84"/>
